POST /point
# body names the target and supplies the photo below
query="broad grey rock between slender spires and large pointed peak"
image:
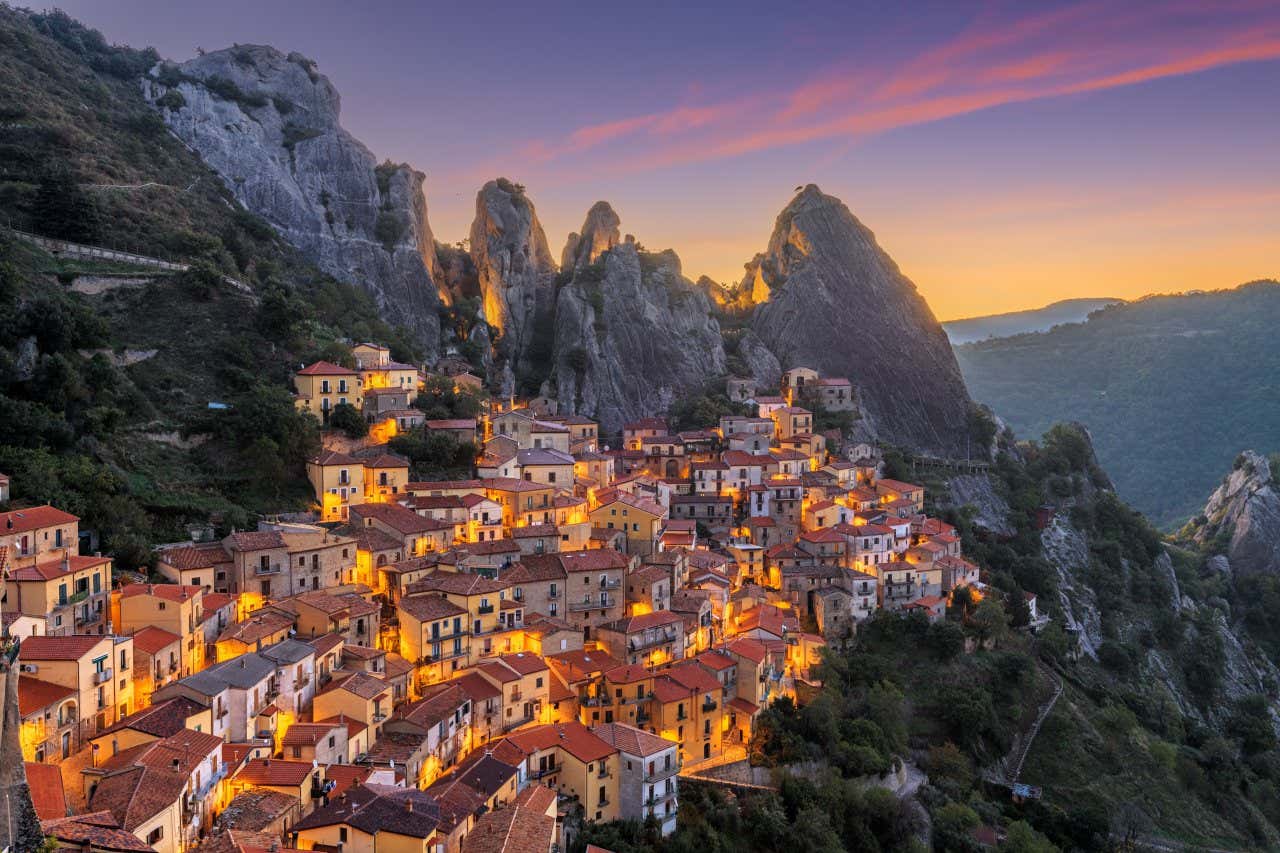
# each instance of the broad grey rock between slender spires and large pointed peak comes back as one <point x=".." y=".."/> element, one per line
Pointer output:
<point x="633" y="335"/>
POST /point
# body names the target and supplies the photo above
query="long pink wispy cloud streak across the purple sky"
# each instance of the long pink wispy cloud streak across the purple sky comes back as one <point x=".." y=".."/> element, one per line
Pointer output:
<point x="996" y="60"/>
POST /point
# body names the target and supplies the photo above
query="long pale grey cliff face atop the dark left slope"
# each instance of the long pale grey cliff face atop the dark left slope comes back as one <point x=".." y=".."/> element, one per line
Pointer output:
<point x="268" y="125"/>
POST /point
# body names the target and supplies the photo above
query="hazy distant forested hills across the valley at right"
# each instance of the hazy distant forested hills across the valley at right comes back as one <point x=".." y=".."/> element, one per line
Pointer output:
<point x="1172" y="387"/>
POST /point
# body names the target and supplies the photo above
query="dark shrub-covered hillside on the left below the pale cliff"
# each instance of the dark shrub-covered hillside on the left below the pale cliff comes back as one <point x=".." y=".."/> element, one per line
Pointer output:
<point x="107" y="372"/>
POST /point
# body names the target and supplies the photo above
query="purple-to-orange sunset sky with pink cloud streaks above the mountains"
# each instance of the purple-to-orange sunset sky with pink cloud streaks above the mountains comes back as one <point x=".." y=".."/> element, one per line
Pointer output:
<point x="1007" y="154"/>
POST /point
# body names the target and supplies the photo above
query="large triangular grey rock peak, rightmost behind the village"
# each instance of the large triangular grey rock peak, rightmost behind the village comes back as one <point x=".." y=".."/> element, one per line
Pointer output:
<point x="838" y="303"/>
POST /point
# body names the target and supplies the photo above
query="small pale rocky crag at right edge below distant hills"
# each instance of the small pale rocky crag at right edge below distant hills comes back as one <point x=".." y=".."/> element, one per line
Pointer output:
<point x="1244" y="514"/>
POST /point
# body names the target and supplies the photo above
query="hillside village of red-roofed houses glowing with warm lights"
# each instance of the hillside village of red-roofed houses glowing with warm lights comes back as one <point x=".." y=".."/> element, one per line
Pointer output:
<point x="460" y="665"/>
